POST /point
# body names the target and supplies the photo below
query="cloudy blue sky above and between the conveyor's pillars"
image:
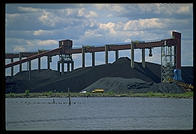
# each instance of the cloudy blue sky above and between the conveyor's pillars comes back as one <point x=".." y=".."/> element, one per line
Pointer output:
<point x="30" y="27"/>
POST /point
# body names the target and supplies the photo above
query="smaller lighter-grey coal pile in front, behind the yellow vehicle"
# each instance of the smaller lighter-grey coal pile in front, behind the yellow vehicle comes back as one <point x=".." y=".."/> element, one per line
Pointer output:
<point x="123" y="85"/>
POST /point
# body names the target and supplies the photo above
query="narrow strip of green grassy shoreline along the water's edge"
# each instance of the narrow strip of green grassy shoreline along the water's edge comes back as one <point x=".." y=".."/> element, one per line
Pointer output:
<point x="106" y="94"/>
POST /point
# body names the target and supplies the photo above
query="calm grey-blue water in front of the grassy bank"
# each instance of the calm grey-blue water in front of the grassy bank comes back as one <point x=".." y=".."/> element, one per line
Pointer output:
<point x="99" y="113"/>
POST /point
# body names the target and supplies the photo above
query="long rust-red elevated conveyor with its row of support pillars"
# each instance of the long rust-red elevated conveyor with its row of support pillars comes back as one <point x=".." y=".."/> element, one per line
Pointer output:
<point x="174" y="41"/>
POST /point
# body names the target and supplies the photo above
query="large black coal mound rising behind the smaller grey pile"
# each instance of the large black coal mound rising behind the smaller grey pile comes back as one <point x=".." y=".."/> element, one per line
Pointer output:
<point x="79" y="79"/>
